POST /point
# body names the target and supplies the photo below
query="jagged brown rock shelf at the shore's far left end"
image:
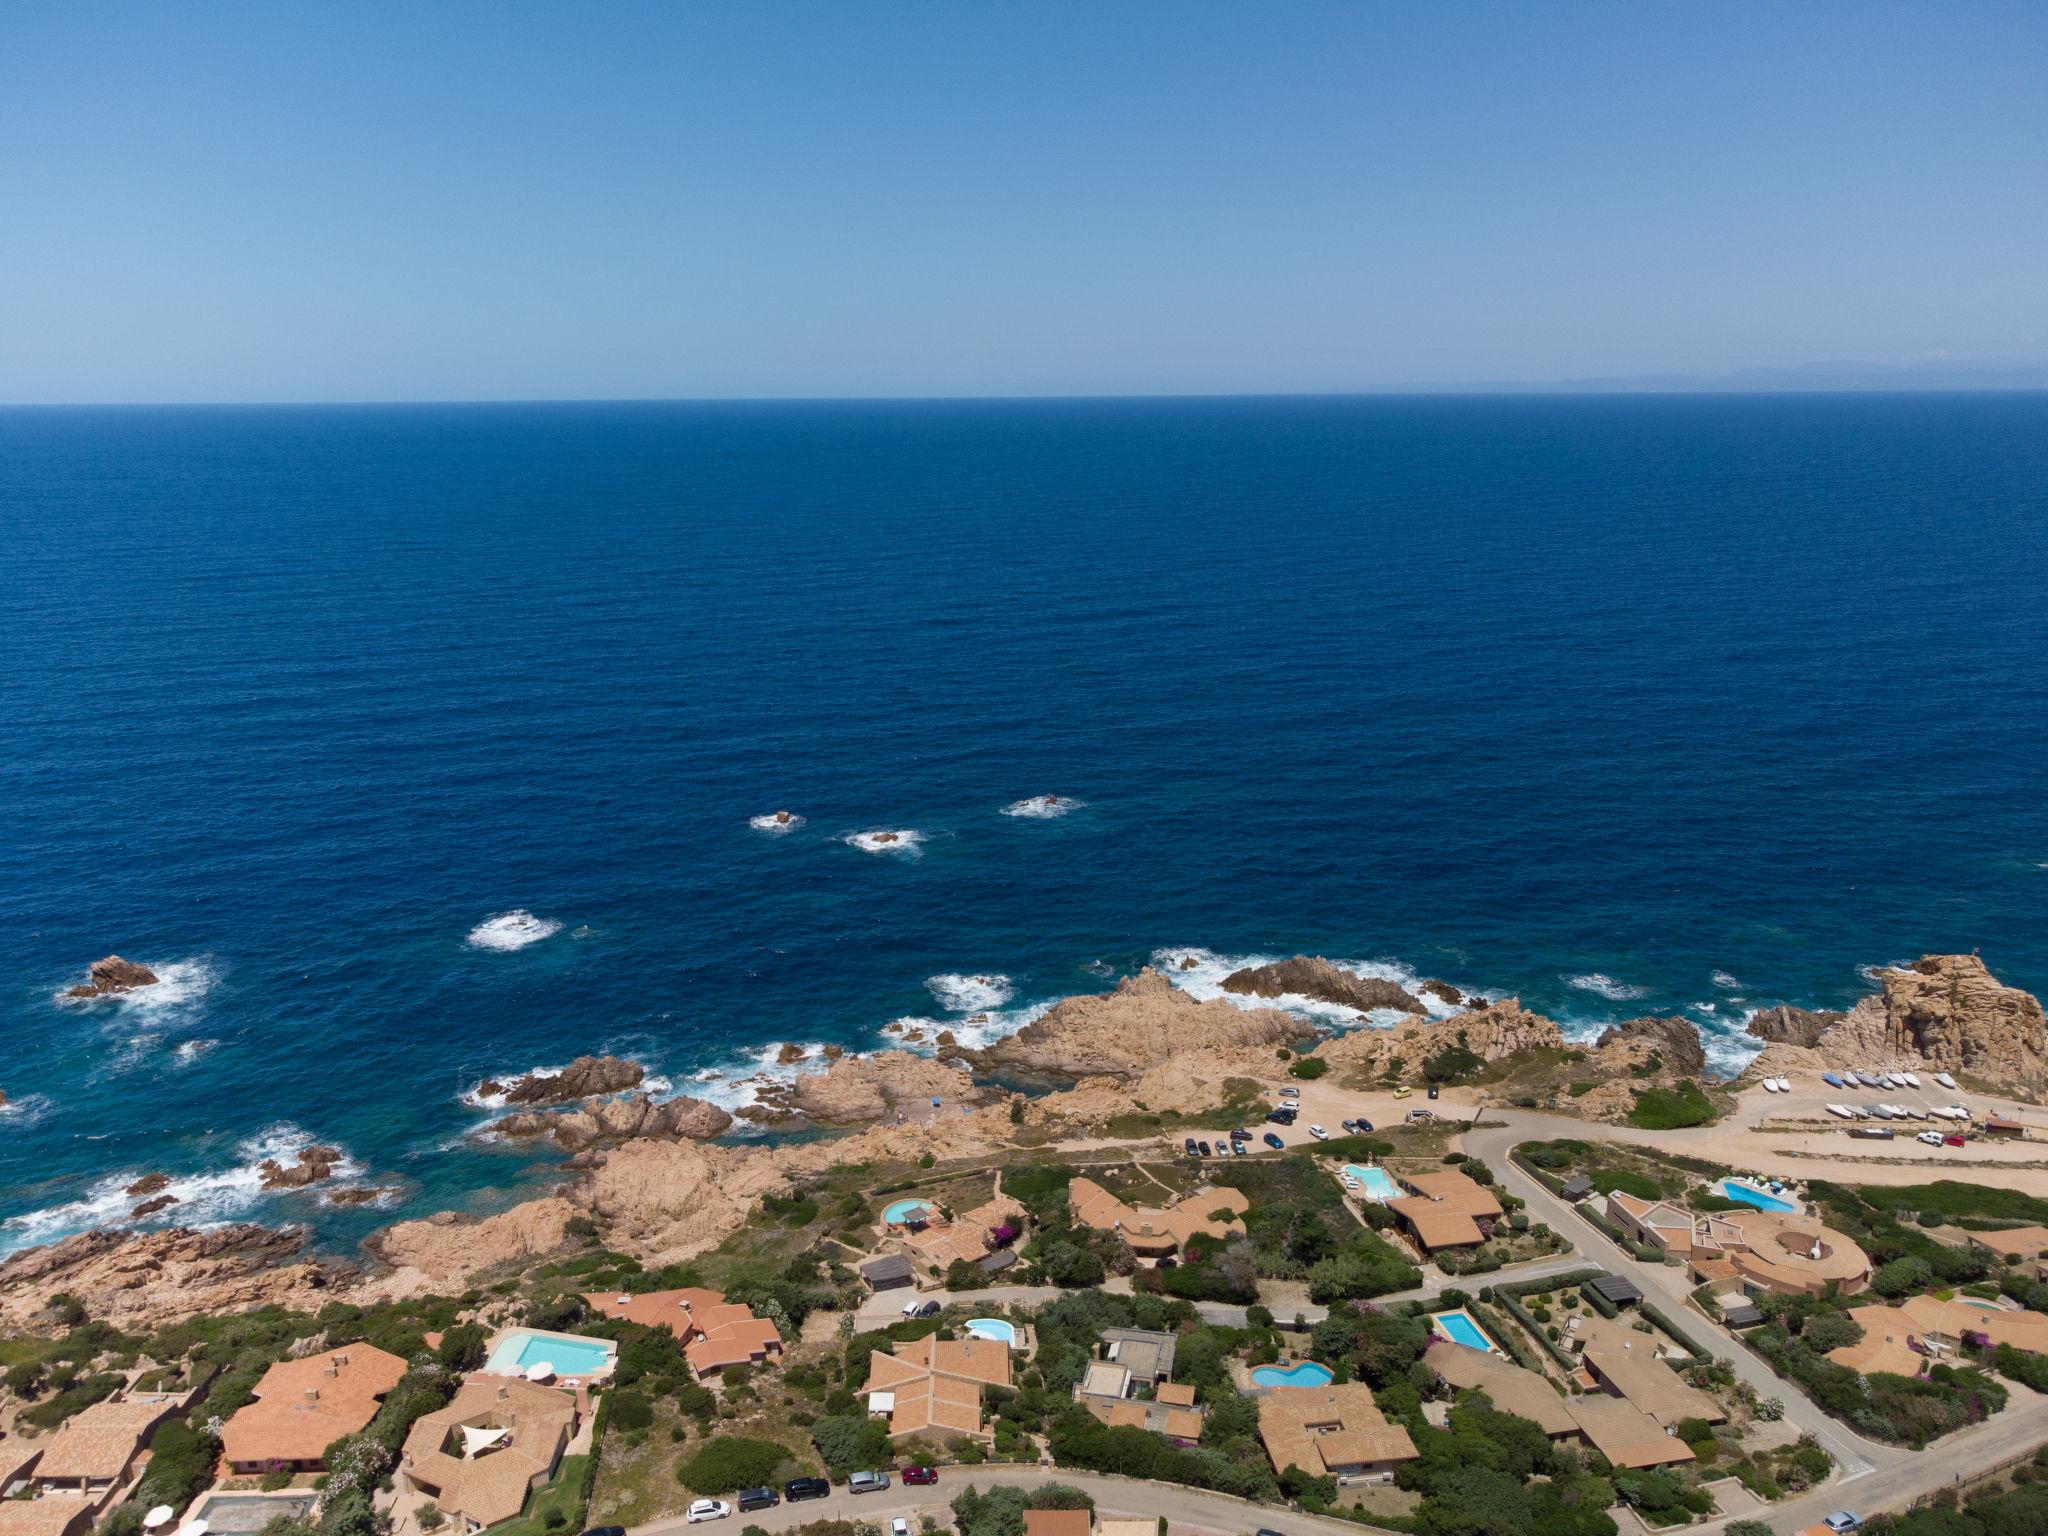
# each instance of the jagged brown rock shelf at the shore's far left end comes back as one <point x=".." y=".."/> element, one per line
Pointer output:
<point x="142" y="1281"/>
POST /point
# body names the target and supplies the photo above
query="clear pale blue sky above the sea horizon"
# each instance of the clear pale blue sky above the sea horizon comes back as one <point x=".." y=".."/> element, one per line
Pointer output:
<point x="474" y="202"/>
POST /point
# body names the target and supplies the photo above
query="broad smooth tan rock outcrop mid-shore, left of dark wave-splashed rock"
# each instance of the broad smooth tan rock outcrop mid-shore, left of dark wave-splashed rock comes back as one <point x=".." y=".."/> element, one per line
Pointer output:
<point x="1138" y="1027"/>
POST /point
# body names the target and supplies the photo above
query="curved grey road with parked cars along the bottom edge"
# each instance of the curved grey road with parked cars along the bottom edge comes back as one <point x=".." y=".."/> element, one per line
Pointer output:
<point x="1115" y="1496"/>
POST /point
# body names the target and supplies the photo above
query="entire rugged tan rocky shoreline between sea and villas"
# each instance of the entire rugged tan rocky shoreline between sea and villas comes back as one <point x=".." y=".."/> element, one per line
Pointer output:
<point x="656" y="1181"/>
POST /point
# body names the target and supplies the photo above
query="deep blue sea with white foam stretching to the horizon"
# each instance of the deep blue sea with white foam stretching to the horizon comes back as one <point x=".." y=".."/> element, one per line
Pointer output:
<point x="1623" y="706"/>
